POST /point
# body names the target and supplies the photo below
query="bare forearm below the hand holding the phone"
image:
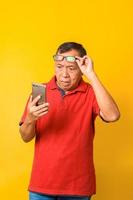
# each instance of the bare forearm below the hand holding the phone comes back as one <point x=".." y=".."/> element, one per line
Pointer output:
<point x="27" y="130"/>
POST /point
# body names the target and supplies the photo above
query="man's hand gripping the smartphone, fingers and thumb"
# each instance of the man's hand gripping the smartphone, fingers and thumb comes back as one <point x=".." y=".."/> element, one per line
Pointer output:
<point x="34" y="111"/>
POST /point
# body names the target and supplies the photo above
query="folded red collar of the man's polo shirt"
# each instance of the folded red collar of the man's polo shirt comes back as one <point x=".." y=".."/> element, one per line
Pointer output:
<point x="81" y="87"/>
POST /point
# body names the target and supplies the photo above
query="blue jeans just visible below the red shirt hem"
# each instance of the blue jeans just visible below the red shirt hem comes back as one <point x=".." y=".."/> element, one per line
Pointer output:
<point x="38" y="196"/>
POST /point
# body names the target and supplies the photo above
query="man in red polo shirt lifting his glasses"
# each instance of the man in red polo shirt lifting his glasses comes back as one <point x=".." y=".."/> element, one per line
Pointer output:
<point x="64" y="127"/>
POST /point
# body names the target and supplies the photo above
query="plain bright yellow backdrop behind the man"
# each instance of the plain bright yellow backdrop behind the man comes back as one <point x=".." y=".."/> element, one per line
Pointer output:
<point x="30" y="32"/>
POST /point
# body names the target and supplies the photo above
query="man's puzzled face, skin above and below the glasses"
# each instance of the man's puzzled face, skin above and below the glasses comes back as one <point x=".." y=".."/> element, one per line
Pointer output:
<point x="67" y="73"/>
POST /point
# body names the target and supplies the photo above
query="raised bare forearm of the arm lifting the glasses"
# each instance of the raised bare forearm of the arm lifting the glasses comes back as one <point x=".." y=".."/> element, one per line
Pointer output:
<point x="108" y="108"/>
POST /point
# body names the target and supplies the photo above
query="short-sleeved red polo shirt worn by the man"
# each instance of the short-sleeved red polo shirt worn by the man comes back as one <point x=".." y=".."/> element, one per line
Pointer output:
<point x="63" y="159"/>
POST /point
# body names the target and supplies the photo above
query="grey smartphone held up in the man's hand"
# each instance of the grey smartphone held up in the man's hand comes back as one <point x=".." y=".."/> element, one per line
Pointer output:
<point x="39" y="89"/>
